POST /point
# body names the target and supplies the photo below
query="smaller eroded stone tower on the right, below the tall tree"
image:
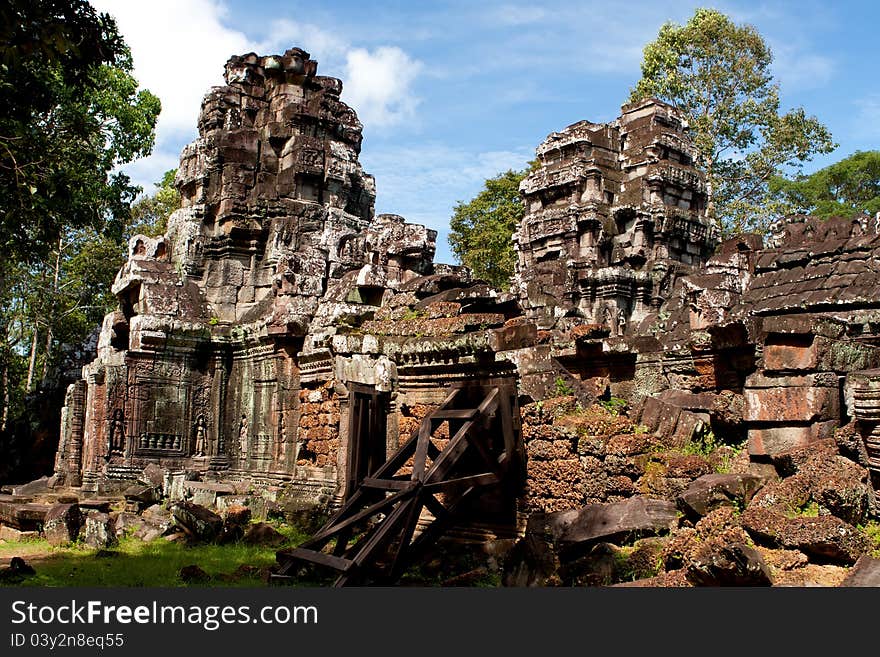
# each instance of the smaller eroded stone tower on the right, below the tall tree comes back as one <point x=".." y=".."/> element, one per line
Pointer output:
<point x="614" y="214"/>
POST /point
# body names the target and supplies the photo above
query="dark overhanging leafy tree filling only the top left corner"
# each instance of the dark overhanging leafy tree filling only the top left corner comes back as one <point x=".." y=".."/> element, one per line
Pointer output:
<point x="70" y="114"/>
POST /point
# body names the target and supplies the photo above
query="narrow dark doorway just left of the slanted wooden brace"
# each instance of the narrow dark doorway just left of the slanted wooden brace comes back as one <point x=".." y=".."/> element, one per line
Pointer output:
<point x="367" y="434"/>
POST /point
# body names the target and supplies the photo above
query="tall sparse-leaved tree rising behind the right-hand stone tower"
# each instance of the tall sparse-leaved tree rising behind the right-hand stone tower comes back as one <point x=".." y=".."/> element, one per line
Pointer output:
<point x="718" y="74"/>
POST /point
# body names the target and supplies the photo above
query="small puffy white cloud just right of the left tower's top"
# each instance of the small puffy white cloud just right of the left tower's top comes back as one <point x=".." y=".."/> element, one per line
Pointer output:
<point x="378" y="85"/>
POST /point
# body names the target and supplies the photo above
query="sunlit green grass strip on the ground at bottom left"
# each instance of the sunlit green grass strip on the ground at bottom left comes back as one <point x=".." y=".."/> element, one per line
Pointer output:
<point x="157" y="563"/>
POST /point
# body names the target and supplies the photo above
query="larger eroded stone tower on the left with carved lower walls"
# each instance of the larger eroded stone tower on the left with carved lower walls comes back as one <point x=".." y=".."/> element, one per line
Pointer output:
<point x="195" y="368"/>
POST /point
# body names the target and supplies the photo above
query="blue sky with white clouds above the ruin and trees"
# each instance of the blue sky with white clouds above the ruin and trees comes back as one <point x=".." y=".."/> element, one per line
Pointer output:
<point x="451" y="93"/>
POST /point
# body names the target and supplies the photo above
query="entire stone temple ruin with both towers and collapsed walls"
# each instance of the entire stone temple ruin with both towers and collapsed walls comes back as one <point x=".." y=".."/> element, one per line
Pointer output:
<point x="282" y="345"/>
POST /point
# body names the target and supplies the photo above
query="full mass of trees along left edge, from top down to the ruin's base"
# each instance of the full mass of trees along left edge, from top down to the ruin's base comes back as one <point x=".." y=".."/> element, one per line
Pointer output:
<point x="70" y="114"/>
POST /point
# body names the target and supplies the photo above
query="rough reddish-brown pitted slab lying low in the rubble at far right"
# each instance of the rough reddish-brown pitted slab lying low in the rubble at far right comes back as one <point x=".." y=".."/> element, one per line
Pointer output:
<point x="826" y="539"/>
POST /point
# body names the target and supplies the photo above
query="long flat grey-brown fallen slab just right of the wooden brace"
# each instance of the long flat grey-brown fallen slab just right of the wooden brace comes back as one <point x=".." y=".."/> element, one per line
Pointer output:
<point x="633" y="518"/>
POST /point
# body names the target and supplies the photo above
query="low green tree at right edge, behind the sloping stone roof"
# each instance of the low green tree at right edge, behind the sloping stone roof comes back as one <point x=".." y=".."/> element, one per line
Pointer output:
<point x="846" y="188"/>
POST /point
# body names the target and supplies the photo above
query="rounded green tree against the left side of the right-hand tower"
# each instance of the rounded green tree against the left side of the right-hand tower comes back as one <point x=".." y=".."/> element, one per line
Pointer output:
<point x="481" y="229"/>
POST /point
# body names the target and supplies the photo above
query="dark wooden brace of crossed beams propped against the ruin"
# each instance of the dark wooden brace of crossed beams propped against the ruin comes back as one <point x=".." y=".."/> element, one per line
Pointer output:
<point x="372" y="538"/>
